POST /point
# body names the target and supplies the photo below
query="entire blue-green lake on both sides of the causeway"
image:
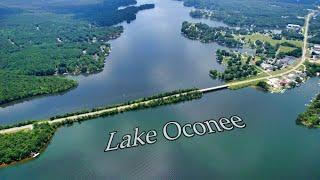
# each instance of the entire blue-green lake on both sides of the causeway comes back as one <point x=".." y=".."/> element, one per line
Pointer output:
<point x="150" y="57"/>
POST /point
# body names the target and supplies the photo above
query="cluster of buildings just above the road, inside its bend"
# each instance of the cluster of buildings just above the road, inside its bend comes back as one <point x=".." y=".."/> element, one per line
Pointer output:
<point x="276" y="64"/>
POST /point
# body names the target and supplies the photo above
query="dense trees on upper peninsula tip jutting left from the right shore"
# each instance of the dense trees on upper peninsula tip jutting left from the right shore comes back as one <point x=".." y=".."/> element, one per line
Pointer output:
<point x="206" y="34"/>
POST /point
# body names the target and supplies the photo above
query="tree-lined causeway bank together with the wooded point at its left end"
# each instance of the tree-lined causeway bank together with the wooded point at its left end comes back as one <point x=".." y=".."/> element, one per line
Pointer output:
<point x="19" y="146"/>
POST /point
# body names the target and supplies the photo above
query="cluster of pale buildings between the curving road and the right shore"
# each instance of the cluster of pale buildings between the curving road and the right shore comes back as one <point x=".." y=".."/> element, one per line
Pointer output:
<point x="288" y="81"/>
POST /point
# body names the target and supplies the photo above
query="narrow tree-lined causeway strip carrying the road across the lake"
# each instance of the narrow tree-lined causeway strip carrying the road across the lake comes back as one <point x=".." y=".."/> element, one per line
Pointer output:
<point x="142" y="103"/>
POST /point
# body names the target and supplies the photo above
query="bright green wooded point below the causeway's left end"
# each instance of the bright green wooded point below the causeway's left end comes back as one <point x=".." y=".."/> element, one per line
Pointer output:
<point x="18" y="146"/>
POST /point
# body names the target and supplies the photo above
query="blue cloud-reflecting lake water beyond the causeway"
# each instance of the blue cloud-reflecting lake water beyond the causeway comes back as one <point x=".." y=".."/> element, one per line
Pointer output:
<point x="150" y="57"/>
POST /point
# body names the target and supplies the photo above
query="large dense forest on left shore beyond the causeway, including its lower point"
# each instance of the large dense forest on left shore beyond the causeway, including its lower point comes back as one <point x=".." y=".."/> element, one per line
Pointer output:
<point x="37" y="45"/>
